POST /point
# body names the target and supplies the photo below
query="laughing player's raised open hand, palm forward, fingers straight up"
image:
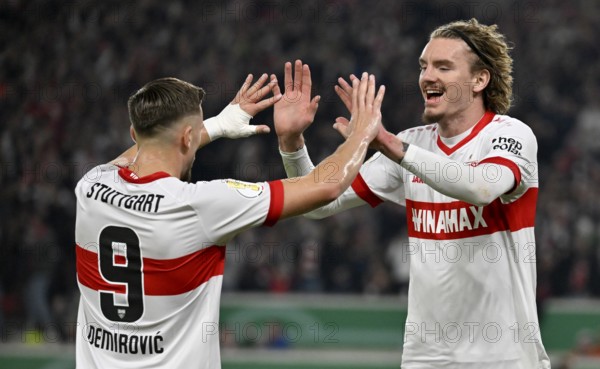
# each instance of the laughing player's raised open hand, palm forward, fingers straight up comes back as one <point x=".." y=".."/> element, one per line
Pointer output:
<point x="296" y="110"/>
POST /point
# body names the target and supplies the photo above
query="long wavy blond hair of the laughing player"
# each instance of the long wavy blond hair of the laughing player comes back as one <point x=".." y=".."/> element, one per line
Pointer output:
<point x="492" y="53"/>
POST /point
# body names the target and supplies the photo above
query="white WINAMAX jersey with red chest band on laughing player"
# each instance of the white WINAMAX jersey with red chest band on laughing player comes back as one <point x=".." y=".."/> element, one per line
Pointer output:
<point x="471" y="300"/>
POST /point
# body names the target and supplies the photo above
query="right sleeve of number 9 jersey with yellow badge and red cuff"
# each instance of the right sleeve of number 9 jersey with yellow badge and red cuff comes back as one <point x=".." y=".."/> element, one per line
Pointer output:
<point x="228" y="207"/>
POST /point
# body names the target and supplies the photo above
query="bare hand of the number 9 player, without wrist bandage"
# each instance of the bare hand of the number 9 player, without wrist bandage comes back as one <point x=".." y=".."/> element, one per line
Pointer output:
<point x="366" y="107"/>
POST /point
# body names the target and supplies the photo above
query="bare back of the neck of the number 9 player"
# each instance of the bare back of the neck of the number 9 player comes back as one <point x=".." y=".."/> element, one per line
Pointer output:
<point x="154" y="158"/>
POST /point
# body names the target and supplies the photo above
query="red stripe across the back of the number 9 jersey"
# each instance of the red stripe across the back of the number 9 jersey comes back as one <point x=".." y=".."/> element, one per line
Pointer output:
<point x="162" y="277"/>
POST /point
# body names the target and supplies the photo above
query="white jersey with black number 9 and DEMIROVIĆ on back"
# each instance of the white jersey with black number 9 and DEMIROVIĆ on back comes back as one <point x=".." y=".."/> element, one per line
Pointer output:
<point x="150" y="258"/>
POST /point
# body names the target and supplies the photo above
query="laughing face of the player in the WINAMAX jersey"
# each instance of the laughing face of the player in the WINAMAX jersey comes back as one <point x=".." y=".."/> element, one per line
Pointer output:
<point x="449" y="87"/>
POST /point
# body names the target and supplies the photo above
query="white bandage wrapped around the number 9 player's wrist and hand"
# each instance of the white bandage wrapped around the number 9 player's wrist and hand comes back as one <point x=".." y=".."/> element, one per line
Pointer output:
<point x="232" y="122"/>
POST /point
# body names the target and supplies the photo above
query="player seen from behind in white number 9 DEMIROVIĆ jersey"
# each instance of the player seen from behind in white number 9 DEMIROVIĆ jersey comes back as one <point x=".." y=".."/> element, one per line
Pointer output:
<point x="151" y="246"/>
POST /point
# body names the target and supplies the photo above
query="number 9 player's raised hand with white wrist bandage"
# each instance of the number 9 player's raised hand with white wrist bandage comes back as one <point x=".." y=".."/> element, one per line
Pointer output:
<point x="234" y="120"/>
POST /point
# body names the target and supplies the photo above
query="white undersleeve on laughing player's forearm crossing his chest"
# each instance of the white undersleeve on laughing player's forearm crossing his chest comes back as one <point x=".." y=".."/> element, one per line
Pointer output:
<point x="478" y="185"/>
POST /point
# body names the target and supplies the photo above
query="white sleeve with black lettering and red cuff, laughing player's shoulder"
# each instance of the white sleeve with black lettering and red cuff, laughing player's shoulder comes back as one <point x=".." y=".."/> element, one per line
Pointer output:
<point x="514" y="145"/>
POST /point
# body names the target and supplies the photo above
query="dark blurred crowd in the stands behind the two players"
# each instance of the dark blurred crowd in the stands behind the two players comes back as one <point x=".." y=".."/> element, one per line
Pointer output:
<point x="67" y="69"/>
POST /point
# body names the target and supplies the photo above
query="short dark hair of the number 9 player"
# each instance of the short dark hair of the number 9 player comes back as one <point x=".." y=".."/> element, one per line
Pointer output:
<point x="161" y="102"/>
